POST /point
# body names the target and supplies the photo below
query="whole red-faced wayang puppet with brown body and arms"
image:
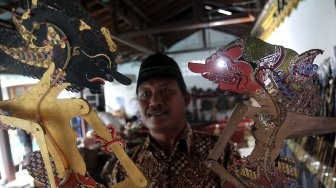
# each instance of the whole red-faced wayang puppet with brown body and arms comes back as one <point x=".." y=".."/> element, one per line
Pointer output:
<point x="285" y="89"/>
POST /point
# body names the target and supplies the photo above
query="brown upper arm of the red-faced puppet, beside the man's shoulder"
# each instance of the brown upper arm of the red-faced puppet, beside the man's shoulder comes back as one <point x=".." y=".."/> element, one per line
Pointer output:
<point x="238" y="112"/>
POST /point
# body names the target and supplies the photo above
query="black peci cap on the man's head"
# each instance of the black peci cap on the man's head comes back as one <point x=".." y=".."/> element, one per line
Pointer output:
<point x="160" y="66"/>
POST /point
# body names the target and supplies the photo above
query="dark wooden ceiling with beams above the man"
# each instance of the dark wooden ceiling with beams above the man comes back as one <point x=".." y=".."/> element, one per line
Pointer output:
<point x="142" y="27"/>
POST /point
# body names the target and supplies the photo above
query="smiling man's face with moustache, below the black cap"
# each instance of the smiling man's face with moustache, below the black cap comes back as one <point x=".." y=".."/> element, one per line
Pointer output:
<point x="162" y="105"/>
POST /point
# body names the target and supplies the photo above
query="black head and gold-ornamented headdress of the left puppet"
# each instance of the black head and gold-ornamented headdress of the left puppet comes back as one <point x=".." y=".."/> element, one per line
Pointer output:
<point x="61" y="32"/>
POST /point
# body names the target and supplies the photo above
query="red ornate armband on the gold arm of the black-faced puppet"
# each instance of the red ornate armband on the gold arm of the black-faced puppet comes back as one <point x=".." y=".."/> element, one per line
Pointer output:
<point x="106" y="145"/>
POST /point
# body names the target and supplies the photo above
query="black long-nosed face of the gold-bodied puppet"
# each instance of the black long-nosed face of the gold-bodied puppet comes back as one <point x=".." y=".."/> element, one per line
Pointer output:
<point x="94" y="63"/>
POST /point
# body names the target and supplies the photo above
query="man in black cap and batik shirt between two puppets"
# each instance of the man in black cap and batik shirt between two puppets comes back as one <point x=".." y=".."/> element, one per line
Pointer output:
<point x="173" y="155"/>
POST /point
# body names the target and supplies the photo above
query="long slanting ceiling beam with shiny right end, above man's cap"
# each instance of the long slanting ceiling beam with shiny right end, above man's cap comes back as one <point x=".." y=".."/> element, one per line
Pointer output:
<point x="187" y="25"/>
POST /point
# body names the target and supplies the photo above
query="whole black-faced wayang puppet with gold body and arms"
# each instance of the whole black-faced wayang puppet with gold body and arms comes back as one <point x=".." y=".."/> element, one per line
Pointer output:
<point x="57" y="42"/>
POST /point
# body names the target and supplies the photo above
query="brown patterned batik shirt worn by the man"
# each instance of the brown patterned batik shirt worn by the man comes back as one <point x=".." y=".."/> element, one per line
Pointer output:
<point x="184" y="167"/>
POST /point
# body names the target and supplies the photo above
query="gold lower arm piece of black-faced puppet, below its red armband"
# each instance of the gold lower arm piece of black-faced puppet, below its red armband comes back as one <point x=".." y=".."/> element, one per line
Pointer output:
<point x="133" y="172"/>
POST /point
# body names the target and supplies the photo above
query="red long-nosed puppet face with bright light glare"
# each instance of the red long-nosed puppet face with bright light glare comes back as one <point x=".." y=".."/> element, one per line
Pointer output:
<point x="228" y="71"/>
